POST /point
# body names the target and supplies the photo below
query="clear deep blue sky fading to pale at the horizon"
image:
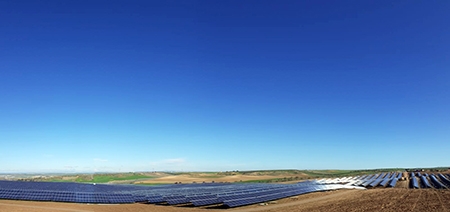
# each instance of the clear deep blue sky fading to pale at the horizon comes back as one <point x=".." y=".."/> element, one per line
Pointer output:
<point x="223" y="85"/>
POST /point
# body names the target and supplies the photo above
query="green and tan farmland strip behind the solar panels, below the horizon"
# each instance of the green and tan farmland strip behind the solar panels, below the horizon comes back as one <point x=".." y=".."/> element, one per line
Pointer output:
<point x="263" y="176"/>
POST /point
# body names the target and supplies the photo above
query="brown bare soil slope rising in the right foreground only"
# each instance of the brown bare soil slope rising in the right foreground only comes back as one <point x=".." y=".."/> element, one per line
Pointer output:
<point x="374" y="200"/>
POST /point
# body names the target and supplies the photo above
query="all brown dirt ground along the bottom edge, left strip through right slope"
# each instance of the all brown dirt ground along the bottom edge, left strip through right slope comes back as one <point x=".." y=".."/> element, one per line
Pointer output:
<point x="394" y="199"/>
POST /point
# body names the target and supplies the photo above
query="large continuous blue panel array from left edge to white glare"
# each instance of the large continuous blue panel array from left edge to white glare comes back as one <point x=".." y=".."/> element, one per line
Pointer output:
<point x="228" y="194"/>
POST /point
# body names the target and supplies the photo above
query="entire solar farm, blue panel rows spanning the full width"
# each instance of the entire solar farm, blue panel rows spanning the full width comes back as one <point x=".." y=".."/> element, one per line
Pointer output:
<point x="211" y="195"/>
